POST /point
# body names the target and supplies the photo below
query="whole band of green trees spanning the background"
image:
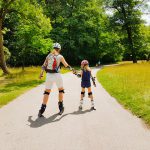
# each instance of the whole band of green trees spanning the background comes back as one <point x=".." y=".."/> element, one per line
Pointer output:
<point x="84" y="28"/>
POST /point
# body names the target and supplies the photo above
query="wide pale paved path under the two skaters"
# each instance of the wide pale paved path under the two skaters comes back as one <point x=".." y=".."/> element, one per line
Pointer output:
<point x="110" y="127"/>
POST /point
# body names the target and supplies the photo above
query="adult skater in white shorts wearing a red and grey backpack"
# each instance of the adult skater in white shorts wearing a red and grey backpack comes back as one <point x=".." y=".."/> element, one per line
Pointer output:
<point x="52" y="68"/>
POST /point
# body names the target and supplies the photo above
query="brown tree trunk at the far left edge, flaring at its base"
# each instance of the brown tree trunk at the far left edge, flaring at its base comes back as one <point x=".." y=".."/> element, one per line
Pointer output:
<point x="2" y="57"/>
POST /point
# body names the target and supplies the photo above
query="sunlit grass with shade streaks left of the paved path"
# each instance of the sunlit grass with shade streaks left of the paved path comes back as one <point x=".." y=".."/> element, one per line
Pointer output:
<point x="18" y="82"/>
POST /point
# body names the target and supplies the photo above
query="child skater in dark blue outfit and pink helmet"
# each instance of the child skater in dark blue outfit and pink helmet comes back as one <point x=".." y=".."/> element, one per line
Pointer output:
<point x="86" y="75"/>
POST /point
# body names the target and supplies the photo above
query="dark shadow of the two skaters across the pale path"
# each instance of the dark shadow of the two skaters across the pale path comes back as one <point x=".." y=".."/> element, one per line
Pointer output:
<point x="43" y="121"/>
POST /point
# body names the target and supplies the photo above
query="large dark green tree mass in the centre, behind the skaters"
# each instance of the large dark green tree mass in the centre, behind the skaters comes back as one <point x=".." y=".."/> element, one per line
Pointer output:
<point x="81" y="27"/>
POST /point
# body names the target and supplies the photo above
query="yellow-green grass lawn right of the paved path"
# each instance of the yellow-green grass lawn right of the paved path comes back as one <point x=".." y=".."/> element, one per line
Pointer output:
<point x="130" y="85"/>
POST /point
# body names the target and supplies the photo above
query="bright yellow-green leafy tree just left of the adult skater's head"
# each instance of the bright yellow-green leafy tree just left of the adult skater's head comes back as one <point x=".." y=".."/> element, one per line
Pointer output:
<point x="31" y="35"/>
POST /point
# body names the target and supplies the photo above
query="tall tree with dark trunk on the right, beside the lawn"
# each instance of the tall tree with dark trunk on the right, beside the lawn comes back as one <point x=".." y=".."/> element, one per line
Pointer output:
<point x="128" y="15"/>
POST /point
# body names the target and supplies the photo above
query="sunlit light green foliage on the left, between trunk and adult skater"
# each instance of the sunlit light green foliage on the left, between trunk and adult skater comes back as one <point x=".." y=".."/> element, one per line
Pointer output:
<point x="30" y="29"/>
